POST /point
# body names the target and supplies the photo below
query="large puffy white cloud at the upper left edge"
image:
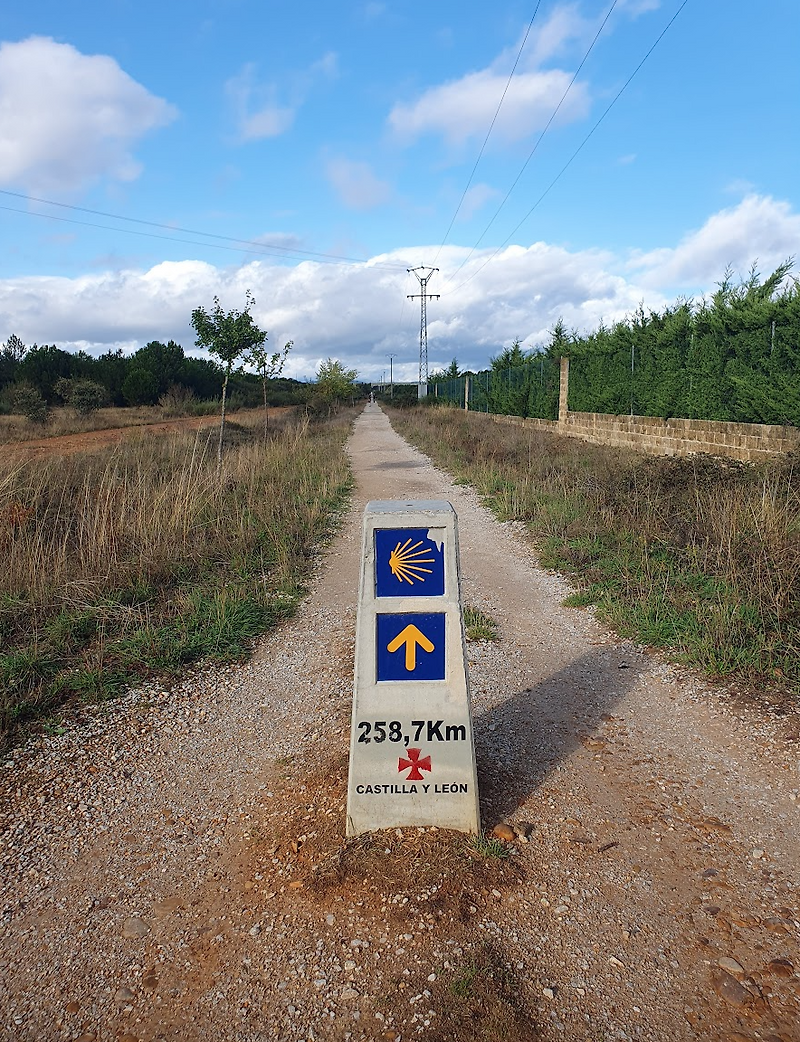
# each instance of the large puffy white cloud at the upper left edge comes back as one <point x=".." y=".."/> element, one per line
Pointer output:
<point x="67" y="118"/>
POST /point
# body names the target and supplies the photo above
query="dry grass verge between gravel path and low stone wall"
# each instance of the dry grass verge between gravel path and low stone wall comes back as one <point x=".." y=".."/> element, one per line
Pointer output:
<point x="701" y="556"/>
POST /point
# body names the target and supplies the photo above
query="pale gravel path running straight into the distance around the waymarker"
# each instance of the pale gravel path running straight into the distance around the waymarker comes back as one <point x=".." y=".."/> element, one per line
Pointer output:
<point x="172" y="865"/>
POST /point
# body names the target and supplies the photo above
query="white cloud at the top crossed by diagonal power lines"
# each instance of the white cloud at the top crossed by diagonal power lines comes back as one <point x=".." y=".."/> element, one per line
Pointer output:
<point x="465" y="108"/>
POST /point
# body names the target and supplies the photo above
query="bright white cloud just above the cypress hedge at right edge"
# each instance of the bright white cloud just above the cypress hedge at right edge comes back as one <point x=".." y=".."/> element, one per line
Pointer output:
<point x="759" y="229"/>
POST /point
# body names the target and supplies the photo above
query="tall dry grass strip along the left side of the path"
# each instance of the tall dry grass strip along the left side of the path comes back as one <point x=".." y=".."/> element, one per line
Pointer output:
<point x="140" y="559"/>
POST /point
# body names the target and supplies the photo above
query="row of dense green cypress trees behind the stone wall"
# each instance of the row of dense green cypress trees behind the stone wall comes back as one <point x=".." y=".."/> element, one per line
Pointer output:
<point x="734" y="356"/>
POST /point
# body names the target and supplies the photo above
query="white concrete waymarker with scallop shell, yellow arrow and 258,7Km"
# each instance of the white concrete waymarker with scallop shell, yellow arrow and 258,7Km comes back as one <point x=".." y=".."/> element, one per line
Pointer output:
<point x="412" y="749"/>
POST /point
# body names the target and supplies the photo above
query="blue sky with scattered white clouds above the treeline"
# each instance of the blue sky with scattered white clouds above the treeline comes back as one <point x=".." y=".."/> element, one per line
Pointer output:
<point x="156" y="157"/>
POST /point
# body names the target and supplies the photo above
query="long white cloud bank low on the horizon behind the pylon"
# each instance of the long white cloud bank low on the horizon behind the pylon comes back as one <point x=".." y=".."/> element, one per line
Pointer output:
<point x="349" y="311"/>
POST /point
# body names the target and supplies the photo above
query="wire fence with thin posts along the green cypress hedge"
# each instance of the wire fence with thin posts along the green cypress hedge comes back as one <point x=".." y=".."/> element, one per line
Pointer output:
<point x="751" y="377"/>
